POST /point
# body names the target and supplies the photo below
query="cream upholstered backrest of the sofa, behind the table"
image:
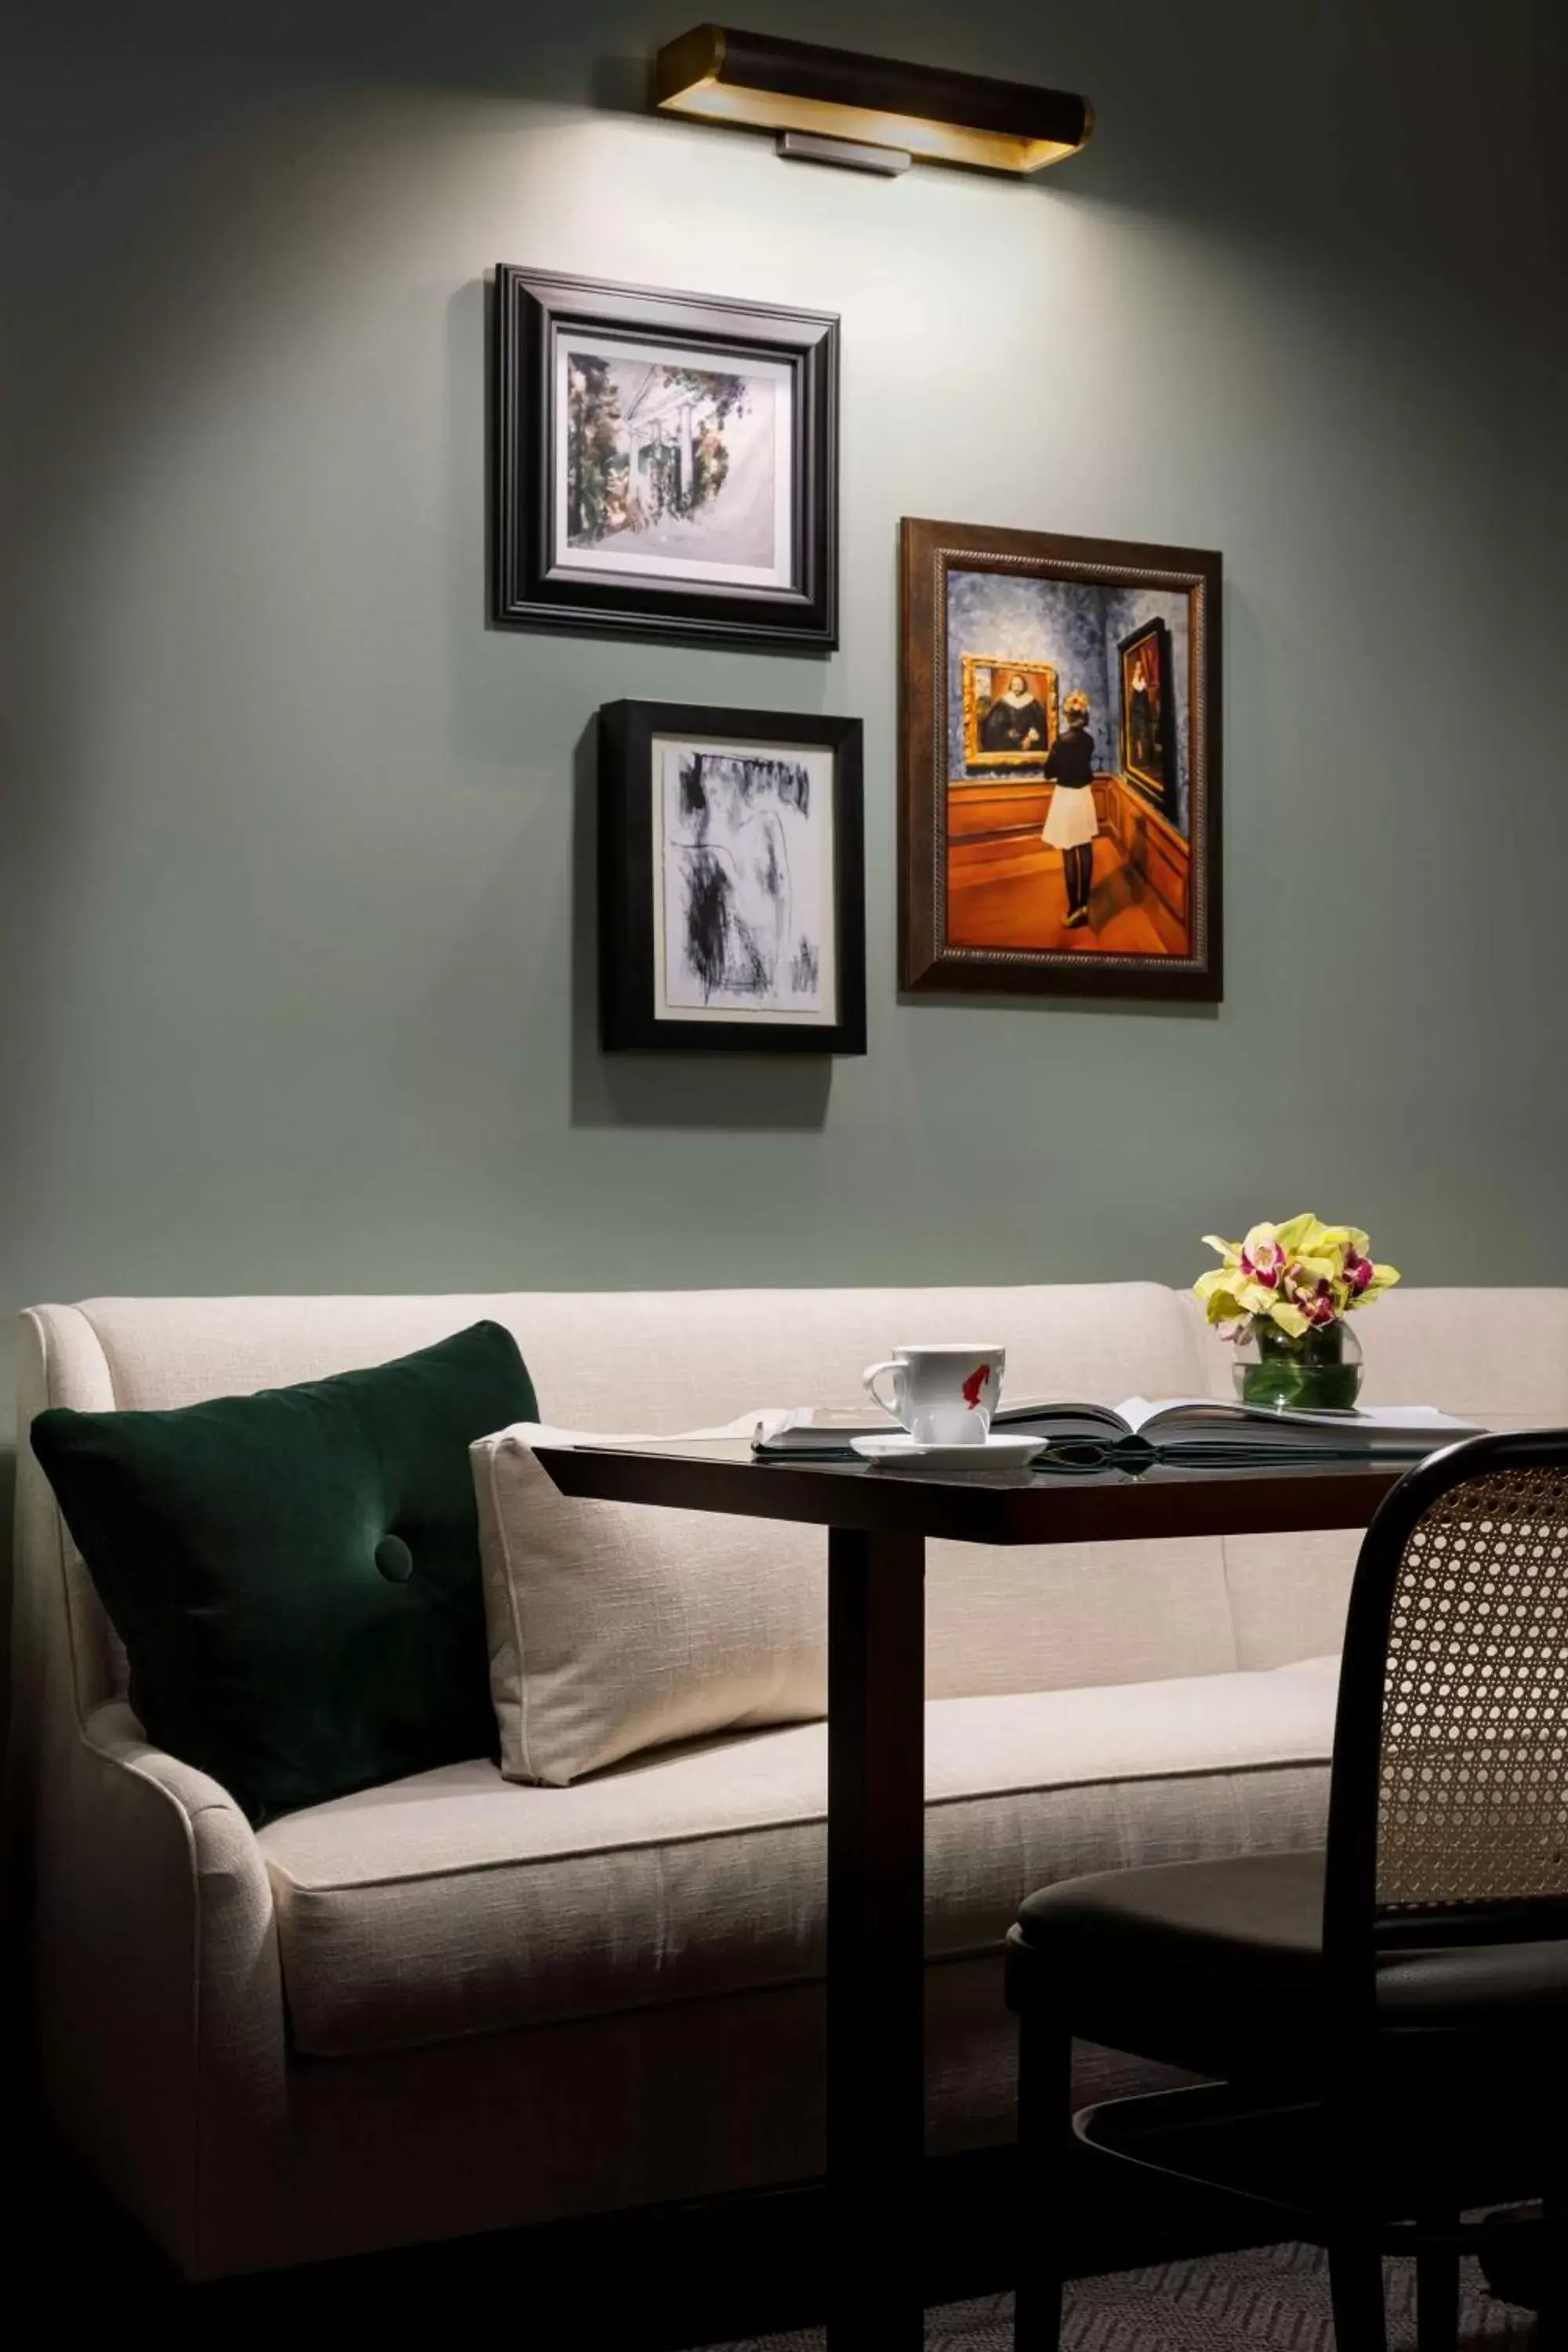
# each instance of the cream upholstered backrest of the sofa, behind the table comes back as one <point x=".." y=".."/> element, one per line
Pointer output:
<point x="998" y="1622"/>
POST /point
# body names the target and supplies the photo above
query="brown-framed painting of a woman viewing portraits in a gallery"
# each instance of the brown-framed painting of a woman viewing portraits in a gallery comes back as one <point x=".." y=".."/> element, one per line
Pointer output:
<point x="1059" y="789"/>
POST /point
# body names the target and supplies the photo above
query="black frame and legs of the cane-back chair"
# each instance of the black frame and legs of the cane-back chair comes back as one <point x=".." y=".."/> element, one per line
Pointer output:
<point x="1362" y="2158"/>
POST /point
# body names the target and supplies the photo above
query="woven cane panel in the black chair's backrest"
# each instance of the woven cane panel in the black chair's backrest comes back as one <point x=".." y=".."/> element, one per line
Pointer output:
<point x="1475" y="1704"/>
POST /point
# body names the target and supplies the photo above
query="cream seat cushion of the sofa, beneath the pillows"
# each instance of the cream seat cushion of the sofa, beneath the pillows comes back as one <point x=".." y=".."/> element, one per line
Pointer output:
<point x="464" y="1904"/>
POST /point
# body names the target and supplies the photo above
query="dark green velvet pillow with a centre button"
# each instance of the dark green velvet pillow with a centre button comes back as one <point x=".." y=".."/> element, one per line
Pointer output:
<point x="297" y="1575"/>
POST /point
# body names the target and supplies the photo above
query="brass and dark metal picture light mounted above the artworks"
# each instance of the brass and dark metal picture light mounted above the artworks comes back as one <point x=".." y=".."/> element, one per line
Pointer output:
<point x="871" y="114"/>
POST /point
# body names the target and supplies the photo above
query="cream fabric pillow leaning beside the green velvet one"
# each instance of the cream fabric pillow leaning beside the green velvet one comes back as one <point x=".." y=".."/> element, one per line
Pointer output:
<point x="617" y="1629"/>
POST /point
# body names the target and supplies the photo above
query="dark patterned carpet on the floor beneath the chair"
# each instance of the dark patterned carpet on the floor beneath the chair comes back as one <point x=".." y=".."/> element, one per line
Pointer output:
<point x="1228" y="2304"/>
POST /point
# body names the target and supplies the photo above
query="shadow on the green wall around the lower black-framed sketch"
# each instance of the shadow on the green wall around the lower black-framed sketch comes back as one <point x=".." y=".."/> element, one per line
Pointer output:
<point x="664" y="1090"/>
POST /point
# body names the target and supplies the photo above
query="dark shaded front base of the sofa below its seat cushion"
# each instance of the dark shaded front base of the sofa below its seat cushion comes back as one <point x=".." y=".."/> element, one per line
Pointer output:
<point x="645" y="2106"/>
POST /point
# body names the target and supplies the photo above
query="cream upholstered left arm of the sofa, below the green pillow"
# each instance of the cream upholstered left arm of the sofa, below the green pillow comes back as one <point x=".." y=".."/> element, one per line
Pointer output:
<point x="159" y="1993"/>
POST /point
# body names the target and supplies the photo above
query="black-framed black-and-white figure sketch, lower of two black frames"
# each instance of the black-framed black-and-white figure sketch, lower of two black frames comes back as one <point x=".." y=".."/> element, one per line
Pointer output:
<point x="732" y="881"/>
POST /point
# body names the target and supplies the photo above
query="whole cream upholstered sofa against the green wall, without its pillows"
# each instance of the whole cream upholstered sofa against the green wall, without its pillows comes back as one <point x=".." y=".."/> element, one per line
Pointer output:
<point x="455" y="2003"/>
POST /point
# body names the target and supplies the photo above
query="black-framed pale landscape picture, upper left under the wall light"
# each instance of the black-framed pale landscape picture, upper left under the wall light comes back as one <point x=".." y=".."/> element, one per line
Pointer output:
<point x="666" y="465"/>
